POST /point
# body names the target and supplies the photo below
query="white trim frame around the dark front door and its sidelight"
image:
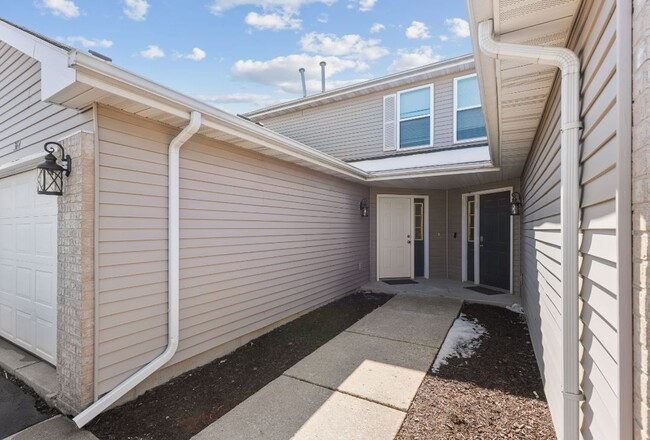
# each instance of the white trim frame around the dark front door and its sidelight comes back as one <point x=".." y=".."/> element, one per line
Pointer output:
<point x="477" y="233"/>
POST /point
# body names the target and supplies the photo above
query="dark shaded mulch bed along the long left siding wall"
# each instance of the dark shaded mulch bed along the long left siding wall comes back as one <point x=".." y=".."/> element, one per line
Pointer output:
<point x="188" y="403"/>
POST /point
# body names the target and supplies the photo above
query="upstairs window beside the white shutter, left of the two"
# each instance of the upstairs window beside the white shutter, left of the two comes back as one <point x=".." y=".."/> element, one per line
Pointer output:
<point x="415" y="128"/>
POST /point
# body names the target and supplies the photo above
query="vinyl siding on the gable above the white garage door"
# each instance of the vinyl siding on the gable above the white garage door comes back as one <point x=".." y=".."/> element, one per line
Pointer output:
<point x="24" y="119"/>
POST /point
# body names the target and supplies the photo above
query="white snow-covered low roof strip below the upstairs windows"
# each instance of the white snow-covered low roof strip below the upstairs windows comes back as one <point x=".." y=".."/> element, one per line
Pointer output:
<point x="459" y="156"/>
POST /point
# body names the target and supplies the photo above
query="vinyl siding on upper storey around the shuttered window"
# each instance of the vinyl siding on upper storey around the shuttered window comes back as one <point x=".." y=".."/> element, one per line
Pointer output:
<point x="353" y="128"/>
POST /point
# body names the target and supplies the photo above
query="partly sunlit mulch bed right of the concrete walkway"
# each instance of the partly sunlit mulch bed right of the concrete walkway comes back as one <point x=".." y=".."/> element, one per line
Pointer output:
<point x="495" y="394"/>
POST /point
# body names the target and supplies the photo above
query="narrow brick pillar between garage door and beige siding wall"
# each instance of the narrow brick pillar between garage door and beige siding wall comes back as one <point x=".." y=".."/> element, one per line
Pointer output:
<point x="75" y="339"/>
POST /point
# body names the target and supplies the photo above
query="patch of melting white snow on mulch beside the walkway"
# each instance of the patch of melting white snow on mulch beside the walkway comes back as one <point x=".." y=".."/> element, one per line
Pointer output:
<point x="463" y="339"/>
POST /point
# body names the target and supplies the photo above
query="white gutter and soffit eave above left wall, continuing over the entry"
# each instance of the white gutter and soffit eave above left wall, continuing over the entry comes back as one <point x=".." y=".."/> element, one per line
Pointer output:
<point x="78" y="80"/>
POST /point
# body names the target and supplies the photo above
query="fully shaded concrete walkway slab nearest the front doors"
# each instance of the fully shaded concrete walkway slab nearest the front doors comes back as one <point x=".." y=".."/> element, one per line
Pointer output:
<point x="398" y="321"/>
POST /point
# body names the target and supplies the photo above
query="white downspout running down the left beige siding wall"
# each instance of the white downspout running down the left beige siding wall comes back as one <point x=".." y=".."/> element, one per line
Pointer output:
<point x="173" y="276"/>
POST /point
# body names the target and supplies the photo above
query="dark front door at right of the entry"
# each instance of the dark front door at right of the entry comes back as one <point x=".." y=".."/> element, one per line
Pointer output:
<point x="495" y="240"/>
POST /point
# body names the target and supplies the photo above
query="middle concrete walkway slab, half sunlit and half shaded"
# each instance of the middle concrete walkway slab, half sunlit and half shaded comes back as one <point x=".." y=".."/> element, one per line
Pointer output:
<point x="380" y="370"/>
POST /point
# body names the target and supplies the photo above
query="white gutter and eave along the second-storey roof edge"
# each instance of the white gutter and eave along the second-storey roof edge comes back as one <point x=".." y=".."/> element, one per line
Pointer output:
<point x="411" y="76"/>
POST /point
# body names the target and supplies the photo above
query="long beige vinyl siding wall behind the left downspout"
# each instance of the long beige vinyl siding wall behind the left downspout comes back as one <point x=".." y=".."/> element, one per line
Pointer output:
<point x="261" y="240"/>
